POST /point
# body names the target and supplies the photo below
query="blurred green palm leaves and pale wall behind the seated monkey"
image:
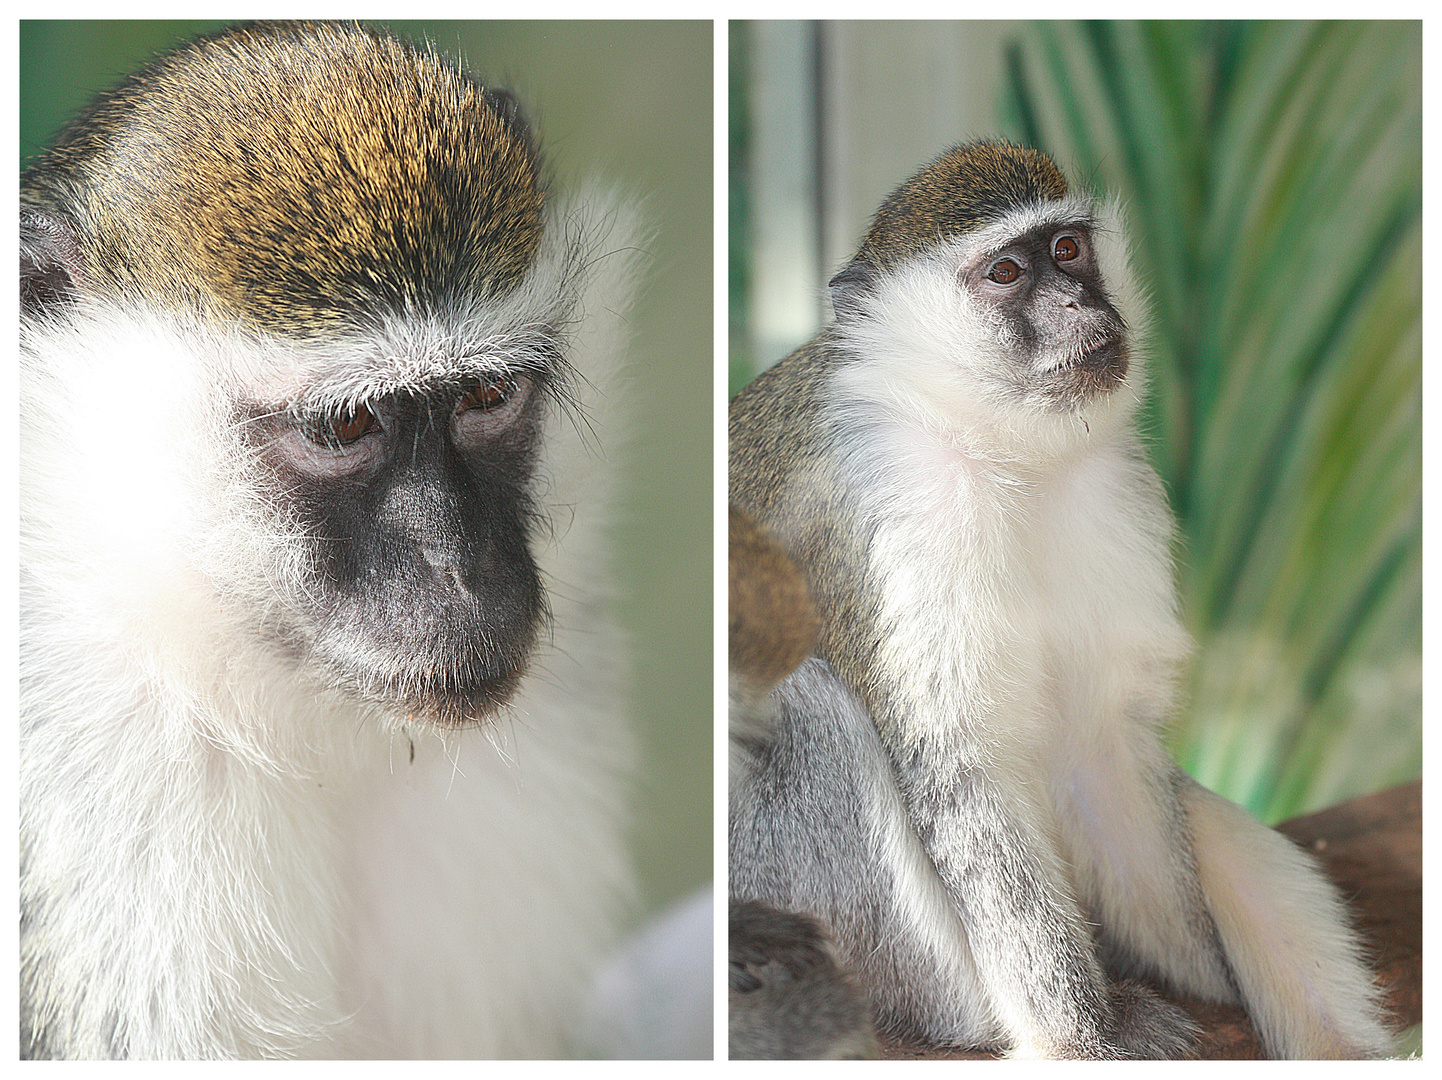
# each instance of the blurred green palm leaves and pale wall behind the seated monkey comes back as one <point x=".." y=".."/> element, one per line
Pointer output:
<point x="1273" y="177"/>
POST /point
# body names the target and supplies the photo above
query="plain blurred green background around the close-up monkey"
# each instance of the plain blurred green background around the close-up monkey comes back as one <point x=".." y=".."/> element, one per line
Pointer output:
<point x="631" y="103"/>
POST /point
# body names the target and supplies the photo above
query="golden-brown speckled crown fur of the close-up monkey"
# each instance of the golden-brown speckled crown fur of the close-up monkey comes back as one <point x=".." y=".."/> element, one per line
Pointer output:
<point x="324" y="172"/>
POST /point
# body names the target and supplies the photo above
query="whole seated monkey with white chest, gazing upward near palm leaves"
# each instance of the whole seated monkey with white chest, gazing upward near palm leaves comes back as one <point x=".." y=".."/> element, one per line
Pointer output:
<point x="967" y="781"/>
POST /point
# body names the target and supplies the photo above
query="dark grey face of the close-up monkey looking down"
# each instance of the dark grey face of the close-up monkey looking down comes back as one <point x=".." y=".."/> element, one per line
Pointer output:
<point x="428" y="598"/>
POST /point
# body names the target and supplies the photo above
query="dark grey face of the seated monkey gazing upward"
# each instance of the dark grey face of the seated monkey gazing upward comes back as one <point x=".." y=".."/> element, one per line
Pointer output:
<point x="1053" y="311"/>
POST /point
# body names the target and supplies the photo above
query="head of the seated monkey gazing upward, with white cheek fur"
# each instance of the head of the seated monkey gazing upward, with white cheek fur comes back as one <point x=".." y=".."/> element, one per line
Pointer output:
<point x="994" y="289"/>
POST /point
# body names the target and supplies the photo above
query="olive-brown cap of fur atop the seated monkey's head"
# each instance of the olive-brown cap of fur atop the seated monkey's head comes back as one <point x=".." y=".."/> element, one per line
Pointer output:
<point x="963" y="190"/>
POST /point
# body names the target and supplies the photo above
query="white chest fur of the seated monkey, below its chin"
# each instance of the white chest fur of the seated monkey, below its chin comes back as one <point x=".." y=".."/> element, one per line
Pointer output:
<point x="1038" y="606"/>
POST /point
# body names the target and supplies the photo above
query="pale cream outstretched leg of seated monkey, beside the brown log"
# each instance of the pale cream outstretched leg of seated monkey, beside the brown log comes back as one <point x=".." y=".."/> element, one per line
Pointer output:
<point x="1297" y="964"/>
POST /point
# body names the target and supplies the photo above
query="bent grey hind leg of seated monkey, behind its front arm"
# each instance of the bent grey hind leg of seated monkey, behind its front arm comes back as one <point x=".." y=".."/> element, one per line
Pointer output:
<point x="817" y="826"/>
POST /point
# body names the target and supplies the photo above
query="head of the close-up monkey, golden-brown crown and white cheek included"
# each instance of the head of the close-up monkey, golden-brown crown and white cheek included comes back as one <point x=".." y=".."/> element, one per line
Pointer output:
<point x="321" y="276"/>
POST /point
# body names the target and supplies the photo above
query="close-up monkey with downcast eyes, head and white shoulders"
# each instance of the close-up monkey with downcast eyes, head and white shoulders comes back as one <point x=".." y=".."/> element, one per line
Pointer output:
<point x="321" y="714"/>
